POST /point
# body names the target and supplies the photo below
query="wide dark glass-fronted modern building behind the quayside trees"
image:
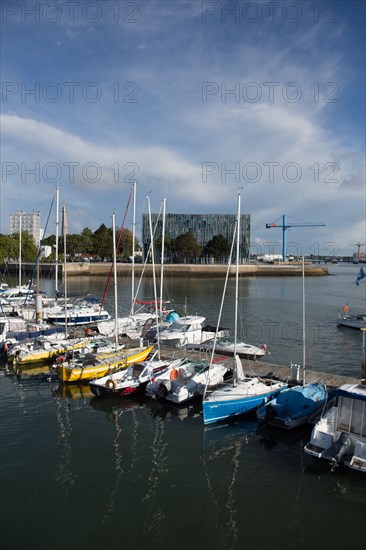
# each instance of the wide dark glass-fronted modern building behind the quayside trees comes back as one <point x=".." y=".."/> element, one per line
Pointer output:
<point x="203" y="226"/>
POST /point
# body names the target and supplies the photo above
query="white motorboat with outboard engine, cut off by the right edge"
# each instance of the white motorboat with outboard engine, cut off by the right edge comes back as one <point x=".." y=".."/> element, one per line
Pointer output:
<point x="340" y="435"/>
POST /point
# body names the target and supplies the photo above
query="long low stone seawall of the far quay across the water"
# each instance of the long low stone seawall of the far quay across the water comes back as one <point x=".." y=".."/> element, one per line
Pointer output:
<point x="196" y="270"/>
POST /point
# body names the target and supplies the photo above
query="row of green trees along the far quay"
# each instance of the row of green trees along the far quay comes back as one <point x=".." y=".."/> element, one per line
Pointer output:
<point x="99" y="244"/>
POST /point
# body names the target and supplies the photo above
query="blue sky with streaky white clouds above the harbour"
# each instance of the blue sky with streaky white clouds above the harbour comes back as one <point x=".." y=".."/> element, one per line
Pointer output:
<point x="196" y="102"/>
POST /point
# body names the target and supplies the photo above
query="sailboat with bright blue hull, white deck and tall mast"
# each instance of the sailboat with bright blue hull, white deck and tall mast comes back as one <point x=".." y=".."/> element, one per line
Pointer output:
<point x="242" y="394"/>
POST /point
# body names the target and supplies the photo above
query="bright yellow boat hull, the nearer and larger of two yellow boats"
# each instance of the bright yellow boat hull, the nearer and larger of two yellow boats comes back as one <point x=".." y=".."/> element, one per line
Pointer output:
<point x="89" y="372"/>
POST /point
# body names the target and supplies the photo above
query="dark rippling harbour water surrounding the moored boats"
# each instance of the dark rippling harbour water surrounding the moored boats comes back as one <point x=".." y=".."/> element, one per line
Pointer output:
<point x="81" y="473"/>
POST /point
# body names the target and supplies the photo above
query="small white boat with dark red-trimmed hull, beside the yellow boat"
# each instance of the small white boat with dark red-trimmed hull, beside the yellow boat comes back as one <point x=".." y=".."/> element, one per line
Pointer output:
<point x="133" y="379"/>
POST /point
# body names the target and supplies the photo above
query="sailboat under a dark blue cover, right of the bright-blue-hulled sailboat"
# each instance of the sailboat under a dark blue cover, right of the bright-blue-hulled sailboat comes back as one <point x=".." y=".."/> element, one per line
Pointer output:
<point x="297" y="405"/>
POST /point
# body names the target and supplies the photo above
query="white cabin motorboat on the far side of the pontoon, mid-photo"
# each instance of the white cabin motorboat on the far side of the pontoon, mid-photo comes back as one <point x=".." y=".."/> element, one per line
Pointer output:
<point x="188" y="330"/>
